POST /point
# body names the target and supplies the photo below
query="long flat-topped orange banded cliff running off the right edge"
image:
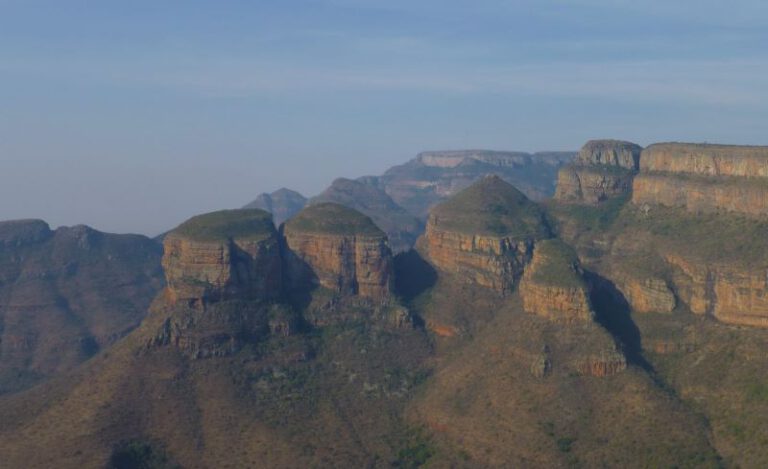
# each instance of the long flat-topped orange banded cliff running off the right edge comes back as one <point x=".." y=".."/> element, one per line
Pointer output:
<point x="704" y="178"/>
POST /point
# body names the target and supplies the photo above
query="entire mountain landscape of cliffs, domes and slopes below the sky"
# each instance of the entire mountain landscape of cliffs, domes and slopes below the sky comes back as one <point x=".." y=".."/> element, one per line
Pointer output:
<point x="606" y="308"/>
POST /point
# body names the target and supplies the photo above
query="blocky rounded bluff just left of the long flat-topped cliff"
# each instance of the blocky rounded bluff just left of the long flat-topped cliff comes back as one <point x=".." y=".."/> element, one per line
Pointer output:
<point x="603" y="169"/>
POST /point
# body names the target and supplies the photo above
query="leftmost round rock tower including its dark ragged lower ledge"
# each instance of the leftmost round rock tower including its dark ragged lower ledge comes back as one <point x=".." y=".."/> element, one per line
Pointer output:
<point x="221" y="269"/>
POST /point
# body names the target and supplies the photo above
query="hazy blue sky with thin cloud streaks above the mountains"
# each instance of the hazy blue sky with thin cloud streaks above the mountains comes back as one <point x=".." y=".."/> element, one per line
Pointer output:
<point x="131" y="116"/>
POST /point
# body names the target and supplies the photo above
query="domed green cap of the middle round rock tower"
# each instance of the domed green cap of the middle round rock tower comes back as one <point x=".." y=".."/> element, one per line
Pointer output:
<point x="335" y="219"/>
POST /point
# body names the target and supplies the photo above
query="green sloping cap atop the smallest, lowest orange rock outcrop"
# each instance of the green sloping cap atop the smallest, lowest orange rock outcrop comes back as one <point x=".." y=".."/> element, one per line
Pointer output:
<point x="558" y="266"/>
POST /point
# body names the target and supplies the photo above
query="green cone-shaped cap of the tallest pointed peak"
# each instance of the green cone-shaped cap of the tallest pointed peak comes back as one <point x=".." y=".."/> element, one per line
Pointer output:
<point x="492" y="207"/>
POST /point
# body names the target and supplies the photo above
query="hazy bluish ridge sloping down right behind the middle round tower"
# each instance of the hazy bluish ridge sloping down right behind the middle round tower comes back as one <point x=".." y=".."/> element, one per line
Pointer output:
<point x="401" y="227"/>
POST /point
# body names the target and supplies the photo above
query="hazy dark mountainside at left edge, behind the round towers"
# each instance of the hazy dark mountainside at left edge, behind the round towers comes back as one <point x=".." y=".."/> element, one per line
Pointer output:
<point x="67" y="293"/>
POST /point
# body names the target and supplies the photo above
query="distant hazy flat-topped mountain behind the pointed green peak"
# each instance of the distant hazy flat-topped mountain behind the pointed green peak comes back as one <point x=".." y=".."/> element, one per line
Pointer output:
<point x="433" y="176"/>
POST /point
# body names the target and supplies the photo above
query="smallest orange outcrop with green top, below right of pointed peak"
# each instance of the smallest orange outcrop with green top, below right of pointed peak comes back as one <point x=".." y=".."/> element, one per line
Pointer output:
<point x="552" y="286"/>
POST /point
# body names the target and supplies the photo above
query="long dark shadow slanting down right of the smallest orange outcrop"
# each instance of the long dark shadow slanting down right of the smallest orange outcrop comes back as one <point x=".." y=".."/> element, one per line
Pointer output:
<point x="613" y="313"/>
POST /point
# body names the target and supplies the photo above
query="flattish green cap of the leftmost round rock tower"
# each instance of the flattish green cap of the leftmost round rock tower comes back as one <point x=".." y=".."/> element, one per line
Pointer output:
<point x="227" y="224"/>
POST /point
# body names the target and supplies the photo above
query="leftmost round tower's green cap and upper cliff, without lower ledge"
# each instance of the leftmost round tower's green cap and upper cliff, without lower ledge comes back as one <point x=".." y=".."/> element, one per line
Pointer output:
<point x="223" y="255"/>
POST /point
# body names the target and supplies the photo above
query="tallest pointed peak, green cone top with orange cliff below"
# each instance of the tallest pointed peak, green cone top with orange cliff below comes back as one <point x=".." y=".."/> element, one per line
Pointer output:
<point x="485" y="234"/>
